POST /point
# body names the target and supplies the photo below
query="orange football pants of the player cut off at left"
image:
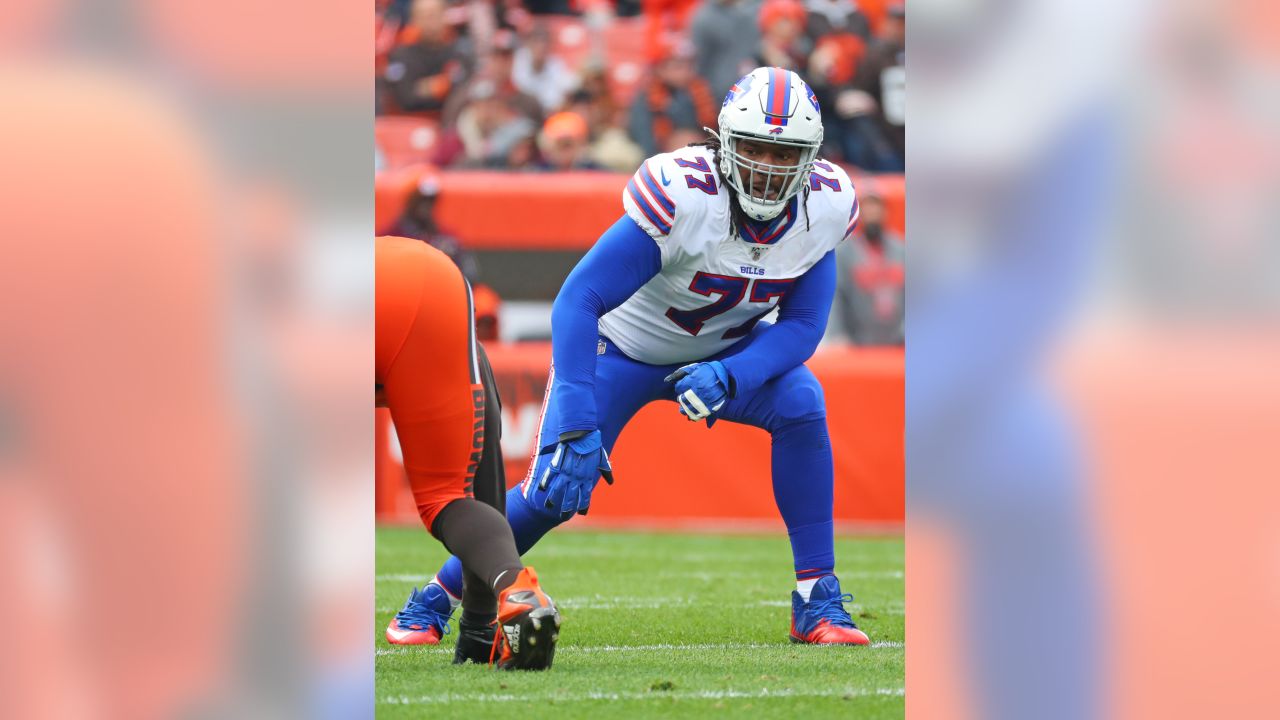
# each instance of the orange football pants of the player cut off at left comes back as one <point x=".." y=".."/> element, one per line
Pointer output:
<point x="428" y="371"/>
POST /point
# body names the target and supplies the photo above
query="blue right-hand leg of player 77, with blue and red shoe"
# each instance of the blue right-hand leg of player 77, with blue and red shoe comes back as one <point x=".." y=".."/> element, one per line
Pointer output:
<point x="793" y="409"/>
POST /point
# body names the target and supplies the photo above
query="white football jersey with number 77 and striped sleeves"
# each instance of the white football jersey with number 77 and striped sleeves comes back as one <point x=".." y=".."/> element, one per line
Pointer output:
<point x="714" y="288"/>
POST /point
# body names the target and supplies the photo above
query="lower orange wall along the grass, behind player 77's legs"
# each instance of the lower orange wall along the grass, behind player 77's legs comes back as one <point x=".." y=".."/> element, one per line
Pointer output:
<point x="671" y="473"/>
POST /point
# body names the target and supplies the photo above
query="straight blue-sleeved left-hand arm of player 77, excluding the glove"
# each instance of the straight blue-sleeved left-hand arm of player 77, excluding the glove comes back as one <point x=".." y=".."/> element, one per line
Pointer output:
<point x="621" y="263"/>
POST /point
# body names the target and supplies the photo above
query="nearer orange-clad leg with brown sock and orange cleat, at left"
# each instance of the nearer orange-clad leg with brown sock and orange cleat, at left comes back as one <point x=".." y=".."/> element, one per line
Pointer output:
<point x="429" y="372"/>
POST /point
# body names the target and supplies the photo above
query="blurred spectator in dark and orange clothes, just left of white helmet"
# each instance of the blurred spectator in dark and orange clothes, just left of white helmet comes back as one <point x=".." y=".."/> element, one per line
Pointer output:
<point x="674" y="99"/>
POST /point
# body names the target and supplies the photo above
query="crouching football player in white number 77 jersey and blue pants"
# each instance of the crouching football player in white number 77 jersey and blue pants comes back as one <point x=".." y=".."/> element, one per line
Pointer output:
<point x="670" y="304"/>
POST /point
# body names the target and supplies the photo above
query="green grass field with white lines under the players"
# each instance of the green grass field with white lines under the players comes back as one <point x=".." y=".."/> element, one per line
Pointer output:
<point x="659" y="626"/>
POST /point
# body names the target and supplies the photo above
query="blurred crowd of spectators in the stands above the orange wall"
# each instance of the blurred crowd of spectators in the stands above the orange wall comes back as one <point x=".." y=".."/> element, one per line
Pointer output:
<point x="580" y="85"/>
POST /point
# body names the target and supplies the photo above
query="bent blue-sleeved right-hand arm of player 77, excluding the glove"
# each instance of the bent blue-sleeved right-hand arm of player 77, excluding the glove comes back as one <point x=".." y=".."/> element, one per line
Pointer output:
<point x="789" y="343"/>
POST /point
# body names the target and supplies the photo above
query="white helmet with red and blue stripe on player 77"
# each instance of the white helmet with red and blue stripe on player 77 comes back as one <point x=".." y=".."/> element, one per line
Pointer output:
<point x="770" y="106"/>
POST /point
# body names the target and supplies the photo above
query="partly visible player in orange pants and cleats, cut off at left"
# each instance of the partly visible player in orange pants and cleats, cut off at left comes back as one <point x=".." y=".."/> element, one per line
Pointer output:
<point x="431" y="375"/>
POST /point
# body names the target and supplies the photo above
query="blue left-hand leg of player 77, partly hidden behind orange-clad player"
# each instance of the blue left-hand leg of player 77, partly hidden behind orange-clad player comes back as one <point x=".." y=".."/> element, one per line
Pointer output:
<point x="623" y="388"/>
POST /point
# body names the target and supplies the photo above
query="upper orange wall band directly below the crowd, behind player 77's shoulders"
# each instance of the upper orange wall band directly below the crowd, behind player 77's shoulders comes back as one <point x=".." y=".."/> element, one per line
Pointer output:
<point x="548" y="212"/>
